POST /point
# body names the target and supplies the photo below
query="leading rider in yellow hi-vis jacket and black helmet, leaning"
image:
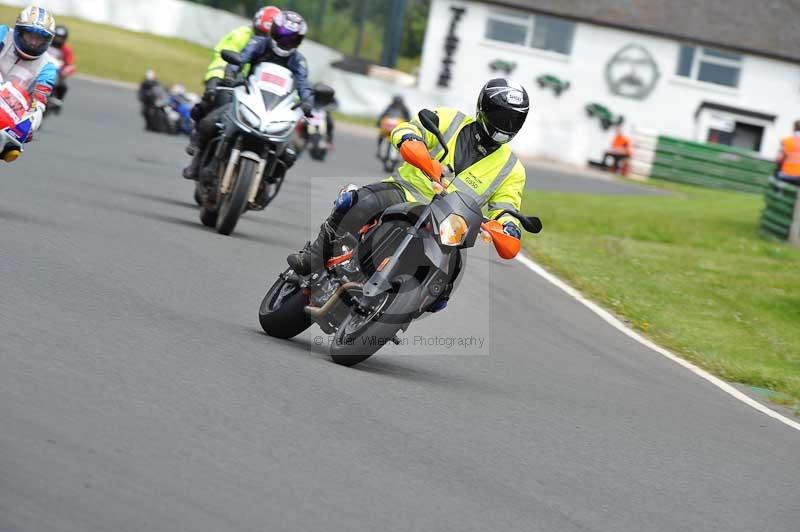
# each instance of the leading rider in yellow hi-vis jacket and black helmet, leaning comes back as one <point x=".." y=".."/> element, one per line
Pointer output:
<point x="479" y="154"/>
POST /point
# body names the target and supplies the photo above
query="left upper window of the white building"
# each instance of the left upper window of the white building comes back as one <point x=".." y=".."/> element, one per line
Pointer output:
<point x="537" y="31"/>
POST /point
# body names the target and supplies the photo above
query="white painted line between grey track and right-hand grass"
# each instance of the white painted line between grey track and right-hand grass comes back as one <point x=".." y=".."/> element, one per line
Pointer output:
<point x="617" y="324"/>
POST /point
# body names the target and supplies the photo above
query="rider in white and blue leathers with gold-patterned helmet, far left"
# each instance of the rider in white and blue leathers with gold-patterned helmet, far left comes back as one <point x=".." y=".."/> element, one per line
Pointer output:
<point x="23" y="57"/>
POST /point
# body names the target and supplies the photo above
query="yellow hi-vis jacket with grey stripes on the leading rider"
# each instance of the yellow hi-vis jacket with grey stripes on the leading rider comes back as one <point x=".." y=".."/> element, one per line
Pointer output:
<point x="496" y="181"/>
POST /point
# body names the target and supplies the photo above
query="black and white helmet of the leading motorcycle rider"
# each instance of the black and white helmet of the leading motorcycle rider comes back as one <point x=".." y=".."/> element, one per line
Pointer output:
<point x="502" y="108"/>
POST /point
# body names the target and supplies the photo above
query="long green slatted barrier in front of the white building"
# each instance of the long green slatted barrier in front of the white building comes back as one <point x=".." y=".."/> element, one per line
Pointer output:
<point x="710" y="165"/>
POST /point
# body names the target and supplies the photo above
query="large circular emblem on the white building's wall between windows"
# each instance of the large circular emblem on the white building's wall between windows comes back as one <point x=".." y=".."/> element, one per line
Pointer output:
<point x="632" y="72"/>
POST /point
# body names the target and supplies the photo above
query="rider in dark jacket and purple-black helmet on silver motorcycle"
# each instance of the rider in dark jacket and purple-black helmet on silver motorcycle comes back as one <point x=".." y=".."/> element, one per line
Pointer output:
<point x="287" y="32"/>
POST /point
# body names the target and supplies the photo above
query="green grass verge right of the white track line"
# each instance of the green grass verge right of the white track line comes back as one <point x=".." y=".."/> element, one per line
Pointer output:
<point x="689" y="270"/>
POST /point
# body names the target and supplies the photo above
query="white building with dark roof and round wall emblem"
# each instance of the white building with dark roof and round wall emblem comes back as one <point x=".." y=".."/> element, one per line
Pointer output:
<point x="726" y="71"/>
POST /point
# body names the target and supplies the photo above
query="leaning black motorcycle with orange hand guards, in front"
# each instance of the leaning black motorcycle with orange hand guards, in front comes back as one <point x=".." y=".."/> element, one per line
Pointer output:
<point x="396" y="269"/>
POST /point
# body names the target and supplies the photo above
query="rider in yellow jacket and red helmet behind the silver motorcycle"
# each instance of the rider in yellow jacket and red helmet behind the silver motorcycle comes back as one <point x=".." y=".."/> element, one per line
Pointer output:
<point x="235" y="41"/>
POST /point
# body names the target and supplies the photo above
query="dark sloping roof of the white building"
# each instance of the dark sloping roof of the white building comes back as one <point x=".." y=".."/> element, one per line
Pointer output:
<point x="767" y="27"/>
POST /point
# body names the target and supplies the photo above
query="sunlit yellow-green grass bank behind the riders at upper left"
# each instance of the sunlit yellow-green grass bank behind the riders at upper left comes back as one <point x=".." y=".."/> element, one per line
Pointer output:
<point x="122" y="55"/>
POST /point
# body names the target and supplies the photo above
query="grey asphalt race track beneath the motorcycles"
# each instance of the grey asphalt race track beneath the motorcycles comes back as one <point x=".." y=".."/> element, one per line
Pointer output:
<point x="138" y="393"/>
